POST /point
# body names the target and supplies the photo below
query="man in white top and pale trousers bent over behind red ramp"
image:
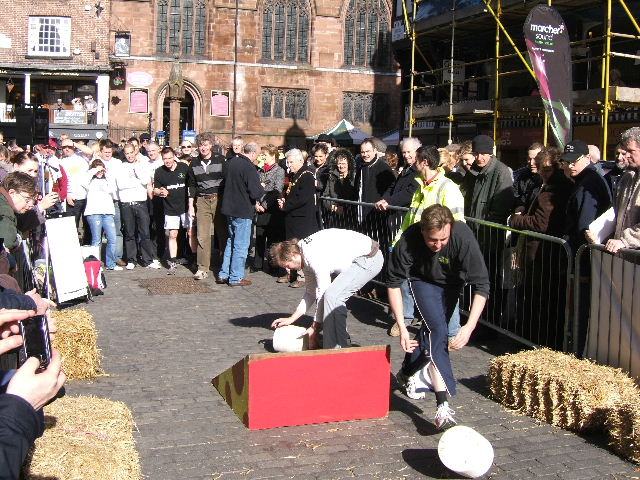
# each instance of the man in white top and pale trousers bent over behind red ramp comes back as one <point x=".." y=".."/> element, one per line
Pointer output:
<point x="352" y="256"/>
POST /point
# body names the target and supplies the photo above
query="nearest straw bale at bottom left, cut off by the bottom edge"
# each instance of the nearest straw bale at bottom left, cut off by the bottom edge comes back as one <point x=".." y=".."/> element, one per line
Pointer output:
<point x="85" y="437"/>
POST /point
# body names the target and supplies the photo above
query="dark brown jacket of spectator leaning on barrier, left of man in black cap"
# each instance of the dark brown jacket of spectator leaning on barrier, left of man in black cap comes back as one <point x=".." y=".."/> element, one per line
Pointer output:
<point x="547" y="211"/>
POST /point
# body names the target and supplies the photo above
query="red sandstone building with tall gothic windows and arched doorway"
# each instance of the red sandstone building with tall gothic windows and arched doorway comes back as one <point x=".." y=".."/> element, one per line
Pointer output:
<point x="274" y="70"/>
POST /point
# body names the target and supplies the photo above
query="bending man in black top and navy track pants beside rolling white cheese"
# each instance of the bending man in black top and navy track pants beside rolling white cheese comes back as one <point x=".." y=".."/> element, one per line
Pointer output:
<point x="438" y="256"/>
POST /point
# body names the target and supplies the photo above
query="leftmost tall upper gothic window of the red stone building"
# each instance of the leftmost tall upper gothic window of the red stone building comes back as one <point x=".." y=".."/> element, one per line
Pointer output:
<point x="181" y="27"/>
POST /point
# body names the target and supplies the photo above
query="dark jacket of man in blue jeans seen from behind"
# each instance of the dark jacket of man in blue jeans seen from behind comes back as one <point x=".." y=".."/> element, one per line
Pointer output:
<point x="241" y="188"/>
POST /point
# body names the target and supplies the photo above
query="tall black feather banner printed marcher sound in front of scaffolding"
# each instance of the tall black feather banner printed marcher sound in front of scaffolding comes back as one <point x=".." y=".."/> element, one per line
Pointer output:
<point x="547" y="41"/>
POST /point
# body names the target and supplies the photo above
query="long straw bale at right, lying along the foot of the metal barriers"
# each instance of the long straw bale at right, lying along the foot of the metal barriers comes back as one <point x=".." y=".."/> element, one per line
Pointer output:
<point x="558" y="388"/>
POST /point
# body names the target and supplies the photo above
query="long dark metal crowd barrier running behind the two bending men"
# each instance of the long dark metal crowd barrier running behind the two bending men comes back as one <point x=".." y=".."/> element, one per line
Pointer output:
<point x="530" y="273"/>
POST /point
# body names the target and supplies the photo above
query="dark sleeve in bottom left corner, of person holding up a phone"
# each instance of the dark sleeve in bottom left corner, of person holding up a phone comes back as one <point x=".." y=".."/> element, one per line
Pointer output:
<point x="20" y="425"/>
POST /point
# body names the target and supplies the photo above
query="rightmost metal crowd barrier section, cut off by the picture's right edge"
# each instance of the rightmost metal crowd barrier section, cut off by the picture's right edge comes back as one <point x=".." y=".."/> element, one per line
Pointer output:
<point x="606" y="320"/>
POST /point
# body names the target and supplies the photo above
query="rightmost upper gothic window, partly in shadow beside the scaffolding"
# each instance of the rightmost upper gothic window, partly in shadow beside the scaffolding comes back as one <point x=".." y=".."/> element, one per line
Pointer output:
<point x="366" y="34"/>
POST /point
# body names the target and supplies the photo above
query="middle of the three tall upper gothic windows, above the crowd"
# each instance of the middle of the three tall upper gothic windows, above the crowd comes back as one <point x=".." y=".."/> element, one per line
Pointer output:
<point x="285" y="31"/>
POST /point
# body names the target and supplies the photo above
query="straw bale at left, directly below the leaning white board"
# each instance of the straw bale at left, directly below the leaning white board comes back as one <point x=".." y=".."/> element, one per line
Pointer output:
<point x="77" y="341"/>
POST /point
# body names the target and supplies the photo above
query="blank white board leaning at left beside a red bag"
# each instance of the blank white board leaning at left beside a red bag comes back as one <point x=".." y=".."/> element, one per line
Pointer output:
<point x="66" y="258"/>
